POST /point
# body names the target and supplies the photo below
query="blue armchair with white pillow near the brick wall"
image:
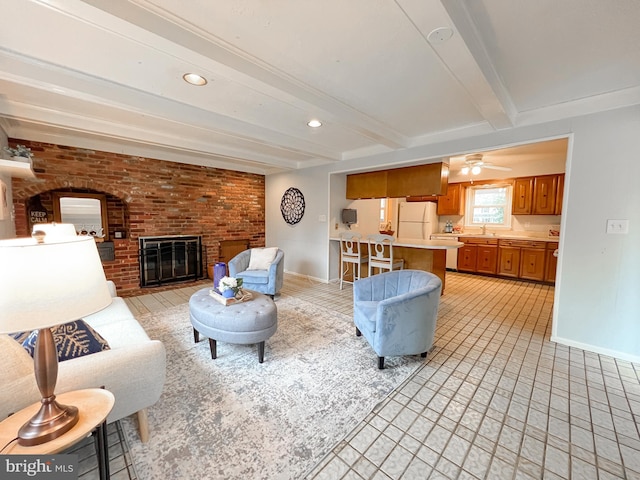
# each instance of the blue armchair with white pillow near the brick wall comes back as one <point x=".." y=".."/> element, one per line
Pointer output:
<point x="268" y="281"/>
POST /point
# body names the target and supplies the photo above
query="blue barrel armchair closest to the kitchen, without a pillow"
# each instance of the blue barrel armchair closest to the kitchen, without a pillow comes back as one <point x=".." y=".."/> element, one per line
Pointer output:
<point x="397" y="312"/>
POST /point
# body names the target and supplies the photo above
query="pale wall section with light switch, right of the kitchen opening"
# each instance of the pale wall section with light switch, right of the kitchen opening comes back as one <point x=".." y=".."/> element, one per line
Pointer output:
<point x="599" y="305"/>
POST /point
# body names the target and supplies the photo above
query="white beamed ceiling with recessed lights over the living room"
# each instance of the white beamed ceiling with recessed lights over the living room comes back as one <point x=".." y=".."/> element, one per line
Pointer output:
<point x="107" y="74"/>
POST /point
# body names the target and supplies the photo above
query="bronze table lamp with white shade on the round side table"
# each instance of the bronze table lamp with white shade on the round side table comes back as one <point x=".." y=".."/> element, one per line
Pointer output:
<point x="43" y="283"/>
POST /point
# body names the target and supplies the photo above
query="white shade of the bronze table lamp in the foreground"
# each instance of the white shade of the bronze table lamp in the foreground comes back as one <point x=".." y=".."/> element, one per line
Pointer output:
<point x="42" y="285"/>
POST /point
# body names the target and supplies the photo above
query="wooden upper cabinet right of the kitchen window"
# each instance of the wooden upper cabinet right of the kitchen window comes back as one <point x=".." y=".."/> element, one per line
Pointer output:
<point x="541" y="195"/>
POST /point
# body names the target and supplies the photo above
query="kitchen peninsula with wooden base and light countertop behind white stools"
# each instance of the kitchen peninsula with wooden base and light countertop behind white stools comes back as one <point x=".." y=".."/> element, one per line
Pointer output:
<point x="427" y="255"/>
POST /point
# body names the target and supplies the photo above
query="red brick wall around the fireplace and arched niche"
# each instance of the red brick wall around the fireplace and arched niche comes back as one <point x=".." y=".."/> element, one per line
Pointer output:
<point x="148" y="197"/>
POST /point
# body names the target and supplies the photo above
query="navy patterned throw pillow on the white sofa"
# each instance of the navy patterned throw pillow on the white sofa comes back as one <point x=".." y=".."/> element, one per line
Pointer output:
<point x="74" y="339"/>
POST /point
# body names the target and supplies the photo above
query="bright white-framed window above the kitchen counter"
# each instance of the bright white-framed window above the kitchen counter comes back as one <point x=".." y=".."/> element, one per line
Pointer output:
<point x="488" y="205"/>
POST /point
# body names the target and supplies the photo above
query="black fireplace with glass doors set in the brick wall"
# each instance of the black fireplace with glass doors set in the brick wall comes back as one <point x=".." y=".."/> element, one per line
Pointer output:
<point x="170" y="259"/>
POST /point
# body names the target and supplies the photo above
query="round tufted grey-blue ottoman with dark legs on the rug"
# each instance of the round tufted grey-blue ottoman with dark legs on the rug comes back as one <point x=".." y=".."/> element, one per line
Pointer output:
<point x="252" y="321"/>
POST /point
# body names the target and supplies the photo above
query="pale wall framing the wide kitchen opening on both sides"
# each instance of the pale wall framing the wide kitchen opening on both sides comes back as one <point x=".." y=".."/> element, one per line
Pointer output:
<point x="598" y="290"/>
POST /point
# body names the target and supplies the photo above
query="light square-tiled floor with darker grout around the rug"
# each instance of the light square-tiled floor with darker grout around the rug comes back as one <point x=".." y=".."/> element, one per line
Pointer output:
<point x="495" y="399"/>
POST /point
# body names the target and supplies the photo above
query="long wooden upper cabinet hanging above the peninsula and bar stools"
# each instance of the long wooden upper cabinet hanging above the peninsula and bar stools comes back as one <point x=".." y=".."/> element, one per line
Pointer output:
<point x="421" y="180"/>
